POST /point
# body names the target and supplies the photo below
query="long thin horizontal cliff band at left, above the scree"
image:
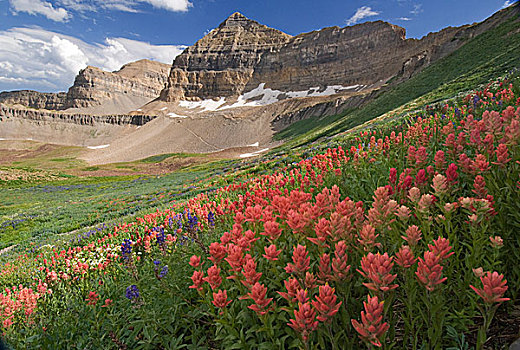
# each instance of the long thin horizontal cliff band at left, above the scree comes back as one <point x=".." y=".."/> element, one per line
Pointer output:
<point x="7" y="112"/>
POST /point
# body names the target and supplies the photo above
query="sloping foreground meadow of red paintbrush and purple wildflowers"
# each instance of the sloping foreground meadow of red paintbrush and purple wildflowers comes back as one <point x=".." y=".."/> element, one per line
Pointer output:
<point x="400" y="236"/>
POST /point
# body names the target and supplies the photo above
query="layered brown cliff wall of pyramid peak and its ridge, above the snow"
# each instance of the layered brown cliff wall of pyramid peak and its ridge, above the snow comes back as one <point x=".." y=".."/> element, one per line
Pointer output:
<point x="241" y="54"/>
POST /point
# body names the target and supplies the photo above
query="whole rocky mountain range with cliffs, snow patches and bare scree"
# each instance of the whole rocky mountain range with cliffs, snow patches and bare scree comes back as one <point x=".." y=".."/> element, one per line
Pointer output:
<point x="233" y="88"/>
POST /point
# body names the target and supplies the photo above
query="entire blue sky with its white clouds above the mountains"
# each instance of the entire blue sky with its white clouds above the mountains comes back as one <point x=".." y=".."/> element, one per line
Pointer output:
<point x="44" y="43"/>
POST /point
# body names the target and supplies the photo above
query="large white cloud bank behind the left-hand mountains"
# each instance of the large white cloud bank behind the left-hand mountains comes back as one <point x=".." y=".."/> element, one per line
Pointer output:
<point x="34" y="58"/>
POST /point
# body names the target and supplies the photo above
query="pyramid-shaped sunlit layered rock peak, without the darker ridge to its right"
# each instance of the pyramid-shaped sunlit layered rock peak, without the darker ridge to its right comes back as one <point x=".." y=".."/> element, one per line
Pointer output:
<point x="222" y="62"/>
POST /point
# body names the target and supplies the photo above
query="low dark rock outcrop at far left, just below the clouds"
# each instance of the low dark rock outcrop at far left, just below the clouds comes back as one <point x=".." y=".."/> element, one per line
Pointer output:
<point x="34" y="99"/>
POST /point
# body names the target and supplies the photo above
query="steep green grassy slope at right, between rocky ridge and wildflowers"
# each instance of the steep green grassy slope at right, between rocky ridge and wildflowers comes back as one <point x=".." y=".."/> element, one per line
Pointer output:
<point x="482" y="58"/>
